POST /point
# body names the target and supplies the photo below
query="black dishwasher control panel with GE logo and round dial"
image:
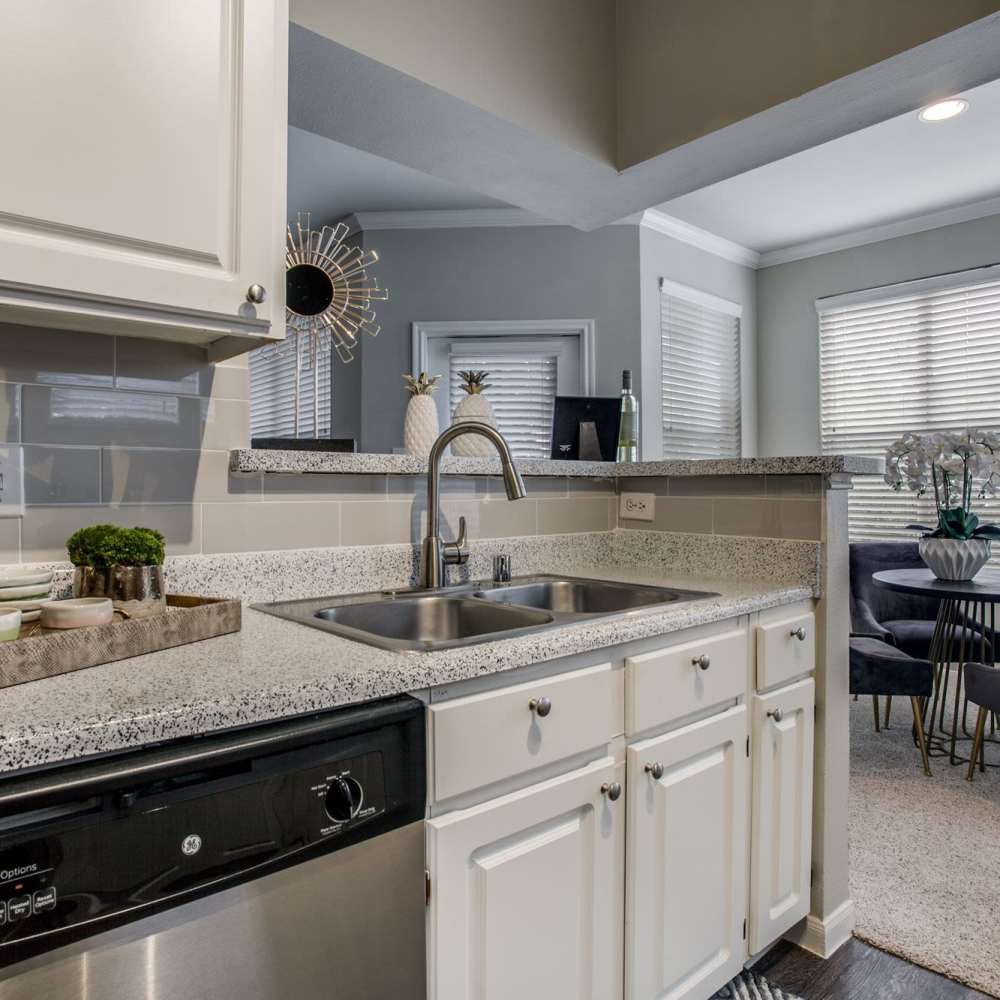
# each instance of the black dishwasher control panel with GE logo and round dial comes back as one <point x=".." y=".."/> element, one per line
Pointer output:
<point x="74" y="861"/>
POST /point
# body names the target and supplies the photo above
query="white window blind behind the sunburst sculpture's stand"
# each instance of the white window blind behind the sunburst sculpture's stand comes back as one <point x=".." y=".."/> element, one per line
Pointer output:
<point x="272" y="393"/>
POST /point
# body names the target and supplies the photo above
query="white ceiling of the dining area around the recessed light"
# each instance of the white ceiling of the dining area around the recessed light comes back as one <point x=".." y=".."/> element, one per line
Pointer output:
<point x="893" y="171"/>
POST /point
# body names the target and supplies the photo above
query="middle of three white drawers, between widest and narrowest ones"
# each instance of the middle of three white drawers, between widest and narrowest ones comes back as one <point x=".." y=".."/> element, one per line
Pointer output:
<point x="670" y="683"/>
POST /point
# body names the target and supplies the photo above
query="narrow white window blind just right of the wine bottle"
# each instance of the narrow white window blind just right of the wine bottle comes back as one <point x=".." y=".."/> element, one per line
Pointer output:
<point x="700" y="366"/>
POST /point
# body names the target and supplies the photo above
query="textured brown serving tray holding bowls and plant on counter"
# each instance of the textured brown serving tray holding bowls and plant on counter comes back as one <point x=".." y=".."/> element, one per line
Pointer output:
<point x="46" y="652"/>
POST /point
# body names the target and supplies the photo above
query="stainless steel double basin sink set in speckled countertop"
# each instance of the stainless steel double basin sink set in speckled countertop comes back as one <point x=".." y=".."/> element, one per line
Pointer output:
<point x="424" y="620"/>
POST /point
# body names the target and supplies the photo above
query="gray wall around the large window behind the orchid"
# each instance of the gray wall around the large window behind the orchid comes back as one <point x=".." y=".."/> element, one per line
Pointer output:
<point x="788" y="339"/>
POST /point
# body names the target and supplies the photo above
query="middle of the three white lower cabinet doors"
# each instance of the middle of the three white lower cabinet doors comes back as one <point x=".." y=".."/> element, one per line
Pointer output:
<point x="687" y="860"/>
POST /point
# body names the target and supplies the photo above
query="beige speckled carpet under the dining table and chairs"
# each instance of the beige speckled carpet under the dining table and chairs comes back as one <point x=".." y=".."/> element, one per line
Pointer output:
<point x="925" y="852"/>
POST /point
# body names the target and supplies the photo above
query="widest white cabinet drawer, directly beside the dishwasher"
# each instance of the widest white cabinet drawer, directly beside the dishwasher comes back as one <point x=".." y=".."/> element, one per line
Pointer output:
<point x="487" y="737"/>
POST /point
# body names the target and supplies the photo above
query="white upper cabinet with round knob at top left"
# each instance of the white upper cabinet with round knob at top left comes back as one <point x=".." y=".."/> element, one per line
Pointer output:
<point x="142" y="186"/>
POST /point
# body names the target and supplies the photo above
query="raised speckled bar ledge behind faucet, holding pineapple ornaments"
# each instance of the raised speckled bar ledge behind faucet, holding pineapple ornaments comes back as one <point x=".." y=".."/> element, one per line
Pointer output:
<point x="257" y="460"/>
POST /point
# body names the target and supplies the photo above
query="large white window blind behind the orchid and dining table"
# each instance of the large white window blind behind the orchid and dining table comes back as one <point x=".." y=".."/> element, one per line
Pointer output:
<point x="926" y="358"/>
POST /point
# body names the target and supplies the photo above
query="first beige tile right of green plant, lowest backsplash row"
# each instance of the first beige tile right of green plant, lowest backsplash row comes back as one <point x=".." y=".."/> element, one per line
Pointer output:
<point x="254" y="527"/>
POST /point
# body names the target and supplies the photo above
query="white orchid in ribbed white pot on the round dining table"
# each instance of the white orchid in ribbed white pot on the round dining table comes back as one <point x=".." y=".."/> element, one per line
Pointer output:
<point x="956" y="466"/>
